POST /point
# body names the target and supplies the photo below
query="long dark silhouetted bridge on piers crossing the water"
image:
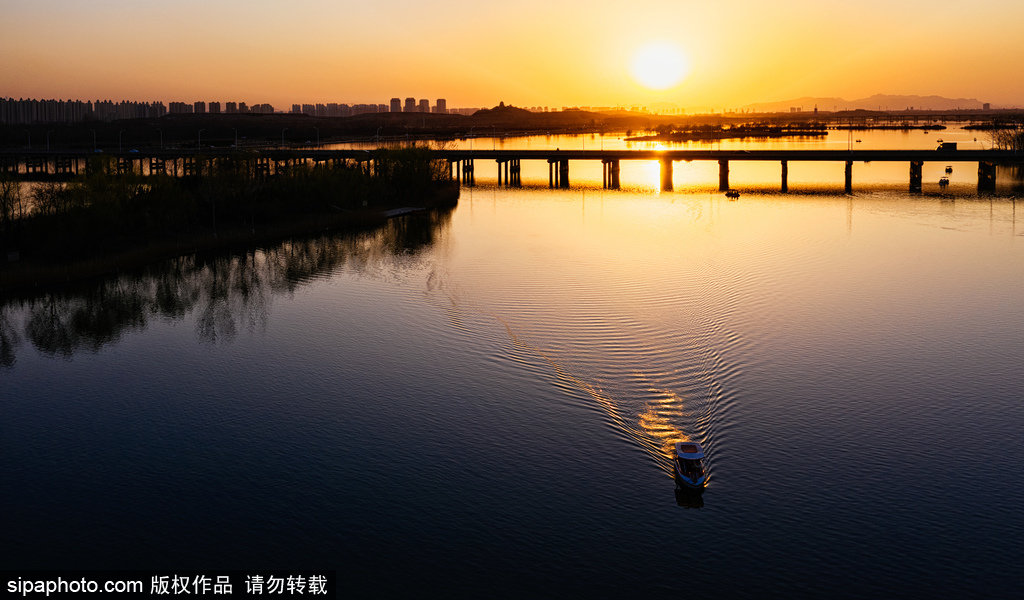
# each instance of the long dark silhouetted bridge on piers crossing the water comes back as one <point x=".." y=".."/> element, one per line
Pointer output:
<point x="462" y="163"/>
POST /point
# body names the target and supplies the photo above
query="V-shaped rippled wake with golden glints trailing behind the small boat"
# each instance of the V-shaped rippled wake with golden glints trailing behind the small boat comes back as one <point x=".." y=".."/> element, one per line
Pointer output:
<point x="652" y="384"/>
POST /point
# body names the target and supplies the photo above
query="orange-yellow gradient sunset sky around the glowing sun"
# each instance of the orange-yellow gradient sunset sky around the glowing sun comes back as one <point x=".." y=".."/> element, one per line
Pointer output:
<point x="528" y="53"/>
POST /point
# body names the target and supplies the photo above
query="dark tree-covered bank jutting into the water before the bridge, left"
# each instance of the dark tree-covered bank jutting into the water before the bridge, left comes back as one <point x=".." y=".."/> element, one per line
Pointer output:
<point x="103" y="220"/>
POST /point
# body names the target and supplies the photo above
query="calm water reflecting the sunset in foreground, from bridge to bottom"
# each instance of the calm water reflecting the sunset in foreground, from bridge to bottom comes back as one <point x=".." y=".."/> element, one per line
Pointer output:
<point x="482" y="403"/>
